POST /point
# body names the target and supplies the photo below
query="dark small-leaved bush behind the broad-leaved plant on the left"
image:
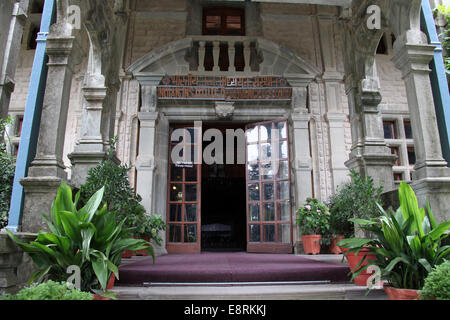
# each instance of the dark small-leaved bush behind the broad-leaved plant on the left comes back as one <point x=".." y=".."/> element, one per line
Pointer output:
<point x="119" y="195"/>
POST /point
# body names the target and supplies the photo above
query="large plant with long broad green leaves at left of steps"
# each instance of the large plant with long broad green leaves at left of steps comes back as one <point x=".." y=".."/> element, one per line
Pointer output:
<point x="89" y="238"/>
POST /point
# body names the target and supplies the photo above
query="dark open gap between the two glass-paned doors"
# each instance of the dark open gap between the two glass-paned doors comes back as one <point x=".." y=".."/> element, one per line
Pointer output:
<point x="223" y="203"/>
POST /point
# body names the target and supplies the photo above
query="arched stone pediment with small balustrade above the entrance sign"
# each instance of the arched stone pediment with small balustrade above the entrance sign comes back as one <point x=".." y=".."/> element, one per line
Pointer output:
<point x="222" y="56"/>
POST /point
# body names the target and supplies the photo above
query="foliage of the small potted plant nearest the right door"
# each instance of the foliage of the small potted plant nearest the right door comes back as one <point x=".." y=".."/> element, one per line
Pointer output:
<point x="313" y="218"/>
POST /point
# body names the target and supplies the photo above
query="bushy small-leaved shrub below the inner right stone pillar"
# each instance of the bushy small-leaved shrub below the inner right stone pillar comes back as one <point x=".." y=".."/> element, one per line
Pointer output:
<point x="356" y="199"/>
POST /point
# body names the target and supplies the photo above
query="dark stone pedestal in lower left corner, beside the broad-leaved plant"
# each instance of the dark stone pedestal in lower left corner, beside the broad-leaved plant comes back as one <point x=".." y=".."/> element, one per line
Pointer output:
<point x="15" y="267"/>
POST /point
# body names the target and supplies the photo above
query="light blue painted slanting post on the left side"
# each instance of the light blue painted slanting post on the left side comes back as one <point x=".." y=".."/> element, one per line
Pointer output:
<point x="32" y="116"/>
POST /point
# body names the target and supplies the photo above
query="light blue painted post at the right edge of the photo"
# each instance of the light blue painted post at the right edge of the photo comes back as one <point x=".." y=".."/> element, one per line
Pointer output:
<point x="438" y="78"/>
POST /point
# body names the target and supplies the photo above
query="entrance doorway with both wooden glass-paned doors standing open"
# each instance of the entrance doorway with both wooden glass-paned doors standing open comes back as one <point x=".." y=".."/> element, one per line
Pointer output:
<point x="230" y="207"/>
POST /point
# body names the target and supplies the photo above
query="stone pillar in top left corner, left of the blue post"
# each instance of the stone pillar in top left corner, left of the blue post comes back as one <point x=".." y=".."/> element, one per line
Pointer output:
<point x="12" y="21"/>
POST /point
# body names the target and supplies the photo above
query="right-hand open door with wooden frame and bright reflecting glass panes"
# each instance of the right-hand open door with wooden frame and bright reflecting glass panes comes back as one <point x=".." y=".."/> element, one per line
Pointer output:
<point x="269" y="213"/>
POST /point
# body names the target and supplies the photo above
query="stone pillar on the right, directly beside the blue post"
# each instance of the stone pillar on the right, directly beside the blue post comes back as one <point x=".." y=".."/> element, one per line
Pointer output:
<point x="412" y="56"/>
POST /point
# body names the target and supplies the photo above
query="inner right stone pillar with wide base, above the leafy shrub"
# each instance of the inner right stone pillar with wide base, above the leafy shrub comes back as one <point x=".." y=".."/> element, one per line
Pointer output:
<point x="370" y="154"/>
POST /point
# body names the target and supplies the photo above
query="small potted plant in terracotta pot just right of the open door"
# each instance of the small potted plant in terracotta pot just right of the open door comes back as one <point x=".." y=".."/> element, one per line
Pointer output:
<point x="313" y="220"/>
